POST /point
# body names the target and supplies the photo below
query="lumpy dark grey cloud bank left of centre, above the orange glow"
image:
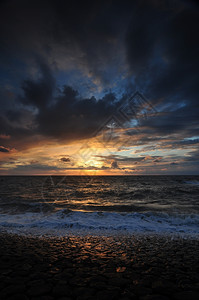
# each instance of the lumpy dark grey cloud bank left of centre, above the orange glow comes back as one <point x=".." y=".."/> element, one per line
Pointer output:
<point x="45" y="110"/>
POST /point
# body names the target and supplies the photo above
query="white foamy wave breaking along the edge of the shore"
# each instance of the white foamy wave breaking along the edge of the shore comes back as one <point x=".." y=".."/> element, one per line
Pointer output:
<point x="64" y="221"/>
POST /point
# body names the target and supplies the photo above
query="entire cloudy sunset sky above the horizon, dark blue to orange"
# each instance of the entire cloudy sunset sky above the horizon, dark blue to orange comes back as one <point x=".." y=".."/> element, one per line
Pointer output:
<point x="99" y="87"/>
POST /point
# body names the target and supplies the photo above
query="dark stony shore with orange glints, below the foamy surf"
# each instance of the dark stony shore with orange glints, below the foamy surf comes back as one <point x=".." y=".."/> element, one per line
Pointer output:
<point x="146" y="268"/>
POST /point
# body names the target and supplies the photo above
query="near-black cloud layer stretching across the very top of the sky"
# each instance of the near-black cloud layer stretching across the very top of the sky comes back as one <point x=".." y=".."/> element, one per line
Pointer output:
<point x="159" y="41"/>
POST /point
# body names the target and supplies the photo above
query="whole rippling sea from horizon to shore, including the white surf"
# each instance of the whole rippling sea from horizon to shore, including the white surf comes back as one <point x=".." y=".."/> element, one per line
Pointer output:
<point x="99" y="205"/>
